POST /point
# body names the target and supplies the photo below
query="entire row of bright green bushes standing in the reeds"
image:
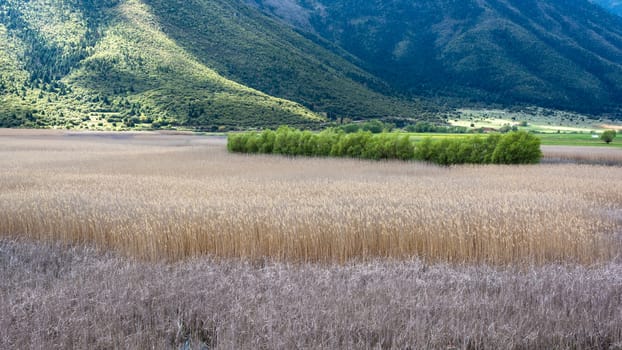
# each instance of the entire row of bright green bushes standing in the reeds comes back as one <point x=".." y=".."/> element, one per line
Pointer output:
<point x="513" y="148"/>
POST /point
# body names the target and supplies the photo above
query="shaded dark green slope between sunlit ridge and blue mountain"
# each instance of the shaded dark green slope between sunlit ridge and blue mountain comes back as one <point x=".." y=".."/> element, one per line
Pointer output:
<point x="270" y="56"/>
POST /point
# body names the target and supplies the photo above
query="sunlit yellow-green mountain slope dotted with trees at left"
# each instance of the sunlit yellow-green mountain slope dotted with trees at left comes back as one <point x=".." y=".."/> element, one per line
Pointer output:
<point x="69" y="69"/>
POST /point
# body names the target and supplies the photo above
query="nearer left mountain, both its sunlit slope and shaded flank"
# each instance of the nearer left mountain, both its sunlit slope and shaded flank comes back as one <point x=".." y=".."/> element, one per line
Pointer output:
<point x="204" y="64"/>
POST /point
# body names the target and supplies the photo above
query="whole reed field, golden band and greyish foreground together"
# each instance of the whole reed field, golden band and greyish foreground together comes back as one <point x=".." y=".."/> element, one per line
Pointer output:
<point x="162" y="241"/>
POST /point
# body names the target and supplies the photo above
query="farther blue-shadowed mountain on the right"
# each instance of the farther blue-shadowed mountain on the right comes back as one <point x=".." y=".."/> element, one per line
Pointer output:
<point x="564" y="54"/>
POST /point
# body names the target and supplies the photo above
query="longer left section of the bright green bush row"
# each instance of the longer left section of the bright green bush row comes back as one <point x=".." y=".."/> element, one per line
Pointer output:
<point x="328" y="143"/>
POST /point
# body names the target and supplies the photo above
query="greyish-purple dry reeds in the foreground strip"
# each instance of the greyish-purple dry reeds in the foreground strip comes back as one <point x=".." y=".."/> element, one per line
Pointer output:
<point x="55" y="297"/>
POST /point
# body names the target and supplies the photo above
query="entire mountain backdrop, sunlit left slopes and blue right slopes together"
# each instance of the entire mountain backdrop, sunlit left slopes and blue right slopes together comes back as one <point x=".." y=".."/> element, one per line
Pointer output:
<point x="226" y="64"/>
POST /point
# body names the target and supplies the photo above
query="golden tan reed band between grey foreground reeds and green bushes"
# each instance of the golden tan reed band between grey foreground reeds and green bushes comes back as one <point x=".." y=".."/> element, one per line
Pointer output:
<point x="171" y="197"/>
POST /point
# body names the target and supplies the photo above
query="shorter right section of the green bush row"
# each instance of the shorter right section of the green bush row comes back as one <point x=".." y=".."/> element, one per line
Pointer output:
<point x="512" y="148"/>
